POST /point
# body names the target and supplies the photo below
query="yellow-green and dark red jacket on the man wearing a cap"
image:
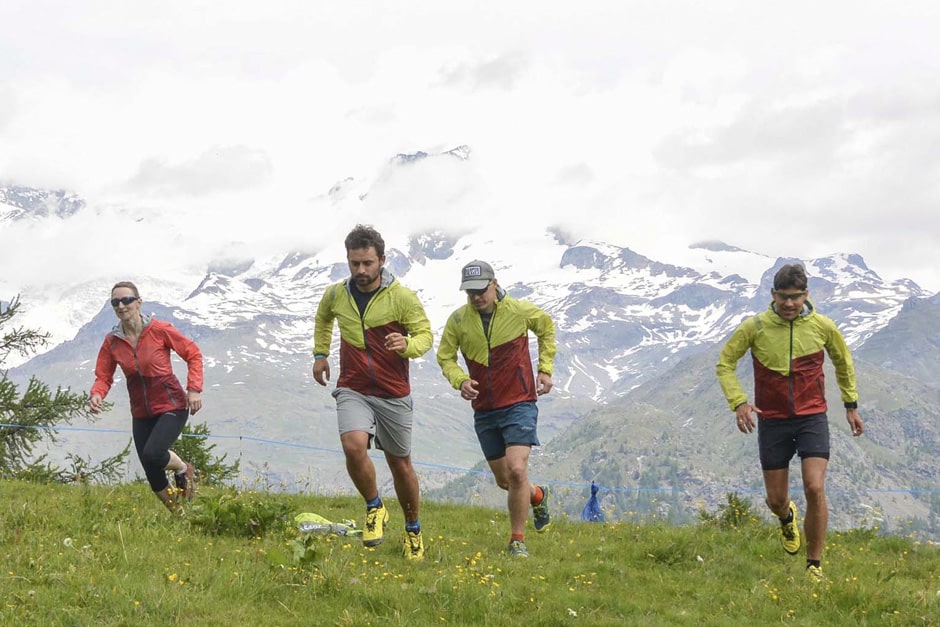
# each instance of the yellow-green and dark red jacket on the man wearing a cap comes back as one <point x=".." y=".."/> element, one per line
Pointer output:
<point x="498" y="359"/>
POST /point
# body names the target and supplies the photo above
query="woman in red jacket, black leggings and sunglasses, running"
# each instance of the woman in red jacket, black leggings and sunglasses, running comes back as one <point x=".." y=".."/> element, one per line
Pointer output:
<point x="159" y="405"/>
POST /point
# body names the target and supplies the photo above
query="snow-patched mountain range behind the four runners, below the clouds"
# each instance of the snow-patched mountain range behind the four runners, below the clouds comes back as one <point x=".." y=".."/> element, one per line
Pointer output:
<point x="623" y="320"/>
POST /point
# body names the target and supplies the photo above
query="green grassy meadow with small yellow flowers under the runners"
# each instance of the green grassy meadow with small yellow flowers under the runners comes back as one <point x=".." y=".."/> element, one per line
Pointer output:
<point x="80" y="555"/>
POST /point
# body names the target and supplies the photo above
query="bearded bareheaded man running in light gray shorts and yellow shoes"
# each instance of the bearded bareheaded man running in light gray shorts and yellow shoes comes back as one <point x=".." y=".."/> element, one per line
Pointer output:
<point x="382" y="325"/>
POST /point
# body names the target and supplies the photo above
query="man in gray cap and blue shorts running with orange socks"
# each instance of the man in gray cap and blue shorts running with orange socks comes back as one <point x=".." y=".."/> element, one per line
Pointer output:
<point x="492" y="333"/>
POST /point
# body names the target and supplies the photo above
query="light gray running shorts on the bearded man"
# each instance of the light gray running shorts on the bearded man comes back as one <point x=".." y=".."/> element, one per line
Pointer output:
<point x="387" y="420"/>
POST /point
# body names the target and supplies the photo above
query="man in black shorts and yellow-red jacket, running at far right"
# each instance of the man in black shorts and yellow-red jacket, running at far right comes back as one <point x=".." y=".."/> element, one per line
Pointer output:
<point x="788" y="342"/>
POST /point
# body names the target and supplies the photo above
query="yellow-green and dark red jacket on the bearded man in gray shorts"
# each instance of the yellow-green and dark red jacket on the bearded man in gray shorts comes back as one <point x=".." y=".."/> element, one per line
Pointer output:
<point x="364" y="364"/>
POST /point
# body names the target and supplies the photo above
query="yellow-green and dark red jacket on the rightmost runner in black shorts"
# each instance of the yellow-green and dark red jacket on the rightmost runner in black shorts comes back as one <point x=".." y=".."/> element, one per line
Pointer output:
<point x="788" y="363"/>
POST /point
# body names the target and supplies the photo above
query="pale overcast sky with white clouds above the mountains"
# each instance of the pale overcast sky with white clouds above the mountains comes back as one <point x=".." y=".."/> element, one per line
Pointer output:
<point x="792" y="129"/>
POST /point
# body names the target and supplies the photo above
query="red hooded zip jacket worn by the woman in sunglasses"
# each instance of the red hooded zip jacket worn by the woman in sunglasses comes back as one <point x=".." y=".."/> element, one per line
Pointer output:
<point x="151" y="384"/>
